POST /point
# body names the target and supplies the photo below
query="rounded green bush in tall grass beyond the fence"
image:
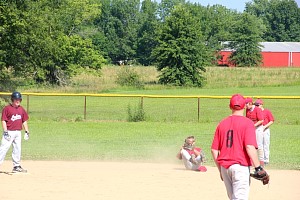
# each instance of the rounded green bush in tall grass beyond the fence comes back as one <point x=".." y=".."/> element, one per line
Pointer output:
<point x="129" y="77"/>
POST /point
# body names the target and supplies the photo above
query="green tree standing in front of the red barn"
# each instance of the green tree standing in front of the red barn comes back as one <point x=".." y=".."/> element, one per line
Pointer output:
<point x="248" y="31"/>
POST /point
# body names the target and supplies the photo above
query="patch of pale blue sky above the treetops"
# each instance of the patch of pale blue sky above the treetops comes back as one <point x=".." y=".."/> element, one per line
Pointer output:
<point x="238" y="5"/>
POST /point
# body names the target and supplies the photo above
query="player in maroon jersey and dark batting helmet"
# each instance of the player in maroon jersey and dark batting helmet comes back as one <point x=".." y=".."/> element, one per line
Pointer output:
<point x="14" y="117"/>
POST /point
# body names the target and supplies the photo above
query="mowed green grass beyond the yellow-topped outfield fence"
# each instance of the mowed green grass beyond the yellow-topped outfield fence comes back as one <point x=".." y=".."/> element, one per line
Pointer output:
<point x="71" y="108"/>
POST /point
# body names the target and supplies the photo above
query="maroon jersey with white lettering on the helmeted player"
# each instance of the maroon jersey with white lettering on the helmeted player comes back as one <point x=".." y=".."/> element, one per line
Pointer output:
<point x="14" y="117"/>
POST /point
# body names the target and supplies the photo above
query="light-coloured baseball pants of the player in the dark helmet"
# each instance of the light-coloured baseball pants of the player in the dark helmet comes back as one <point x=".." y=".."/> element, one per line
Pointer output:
<point x="15" y="141"/>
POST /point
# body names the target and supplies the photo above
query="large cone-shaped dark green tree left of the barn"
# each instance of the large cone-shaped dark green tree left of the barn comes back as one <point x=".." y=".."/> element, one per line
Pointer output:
<point x="181" y="53"/>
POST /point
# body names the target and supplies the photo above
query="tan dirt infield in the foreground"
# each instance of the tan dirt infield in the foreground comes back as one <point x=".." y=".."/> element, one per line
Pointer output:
<point x="57" y="180"/>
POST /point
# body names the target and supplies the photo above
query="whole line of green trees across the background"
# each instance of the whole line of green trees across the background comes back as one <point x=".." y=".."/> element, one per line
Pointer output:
<point x="49" y="41"/>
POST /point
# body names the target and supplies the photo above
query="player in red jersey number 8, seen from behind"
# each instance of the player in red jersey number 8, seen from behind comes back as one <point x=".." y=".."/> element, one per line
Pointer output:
<point x="234" y="150"/>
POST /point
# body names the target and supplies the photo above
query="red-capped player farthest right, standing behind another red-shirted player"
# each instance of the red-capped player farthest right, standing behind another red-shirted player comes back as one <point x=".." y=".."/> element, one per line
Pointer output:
<point x="268" y="121"/>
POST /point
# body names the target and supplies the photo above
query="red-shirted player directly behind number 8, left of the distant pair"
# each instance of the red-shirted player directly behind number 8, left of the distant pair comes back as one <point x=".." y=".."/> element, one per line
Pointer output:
<point x="256" y="115"/>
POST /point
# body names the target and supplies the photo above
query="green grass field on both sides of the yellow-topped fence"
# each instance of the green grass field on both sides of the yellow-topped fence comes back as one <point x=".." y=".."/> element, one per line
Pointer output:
<point x="58" y="131"/>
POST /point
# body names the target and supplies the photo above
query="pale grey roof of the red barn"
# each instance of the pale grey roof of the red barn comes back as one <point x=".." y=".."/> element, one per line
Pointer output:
<point x="280" y="46"/>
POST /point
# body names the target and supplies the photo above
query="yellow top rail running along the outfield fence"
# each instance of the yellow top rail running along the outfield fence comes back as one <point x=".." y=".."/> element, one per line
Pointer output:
<point x="147" y="96"/>
